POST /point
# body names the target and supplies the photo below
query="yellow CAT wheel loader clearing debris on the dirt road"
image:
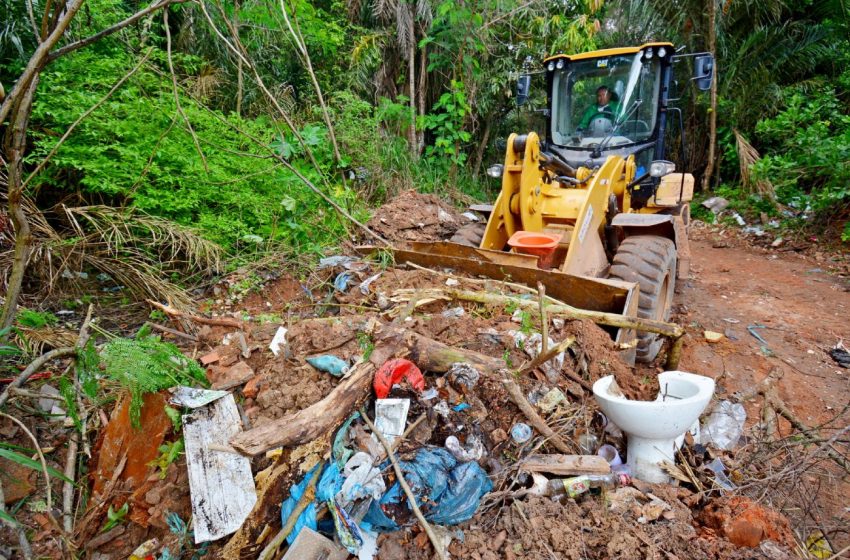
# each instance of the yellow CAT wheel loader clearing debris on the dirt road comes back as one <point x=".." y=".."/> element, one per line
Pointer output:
<point x="595" y="211"/>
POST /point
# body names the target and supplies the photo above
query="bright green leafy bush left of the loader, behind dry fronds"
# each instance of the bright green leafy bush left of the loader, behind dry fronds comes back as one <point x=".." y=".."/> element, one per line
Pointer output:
<point x="136" y="150"/>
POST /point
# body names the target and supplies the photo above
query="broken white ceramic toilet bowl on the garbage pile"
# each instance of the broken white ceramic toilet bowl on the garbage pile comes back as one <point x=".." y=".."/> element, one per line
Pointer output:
<point x="656" y="429"/>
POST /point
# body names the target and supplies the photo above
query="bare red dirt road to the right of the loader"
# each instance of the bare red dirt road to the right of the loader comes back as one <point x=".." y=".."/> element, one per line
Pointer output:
<point x="805" y="311"/>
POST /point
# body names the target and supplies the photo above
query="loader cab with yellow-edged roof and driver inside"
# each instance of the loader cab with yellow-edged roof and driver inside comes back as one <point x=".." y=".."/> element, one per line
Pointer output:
<point x="584" y="132"/>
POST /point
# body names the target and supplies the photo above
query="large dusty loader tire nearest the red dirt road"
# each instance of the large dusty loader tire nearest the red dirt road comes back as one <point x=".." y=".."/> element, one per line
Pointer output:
<point x="649" y="260"/>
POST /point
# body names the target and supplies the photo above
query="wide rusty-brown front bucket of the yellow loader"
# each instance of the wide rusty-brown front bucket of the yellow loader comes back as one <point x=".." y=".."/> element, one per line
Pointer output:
<point x="593" y="294"/>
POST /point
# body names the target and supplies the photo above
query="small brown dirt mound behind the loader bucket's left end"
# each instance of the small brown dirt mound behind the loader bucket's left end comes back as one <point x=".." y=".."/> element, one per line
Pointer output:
<point x="412" y="216"/>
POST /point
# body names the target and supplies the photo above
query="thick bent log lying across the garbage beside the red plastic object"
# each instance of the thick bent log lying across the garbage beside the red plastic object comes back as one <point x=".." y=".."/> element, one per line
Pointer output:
<point x="325" y="415"/>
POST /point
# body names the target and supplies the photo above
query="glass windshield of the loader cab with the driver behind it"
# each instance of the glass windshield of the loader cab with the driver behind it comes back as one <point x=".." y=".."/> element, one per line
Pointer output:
<point x="627" y="88"/>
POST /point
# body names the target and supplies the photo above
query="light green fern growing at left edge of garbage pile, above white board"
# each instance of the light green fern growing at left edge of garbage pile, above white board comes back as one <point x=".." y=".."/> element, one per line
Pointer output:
<point x="147" y="365"/>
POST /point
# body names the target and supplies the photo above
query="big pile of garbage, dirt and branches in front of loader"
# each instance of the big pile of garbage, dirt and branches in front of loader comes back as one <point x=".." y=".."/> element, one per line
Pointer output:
<point x="376" y="415"/>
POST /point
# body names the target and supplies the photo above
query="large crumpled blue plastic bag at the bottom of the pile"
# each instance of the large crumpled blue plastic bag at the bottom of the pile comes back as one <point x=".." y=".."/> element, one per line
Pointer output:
<point x="446" y="491"/>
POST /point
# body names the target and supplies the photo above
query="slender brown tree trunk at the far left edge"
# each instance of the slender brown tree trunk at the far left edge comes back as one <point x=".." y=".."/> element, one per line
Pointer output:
<point x="14" y="146"/>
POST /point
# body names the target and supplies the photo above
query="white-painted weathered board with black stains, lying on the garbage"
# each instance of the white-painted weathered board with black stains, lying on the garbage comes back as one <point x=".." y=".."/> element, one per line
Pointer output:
<point x="221" y="484"/>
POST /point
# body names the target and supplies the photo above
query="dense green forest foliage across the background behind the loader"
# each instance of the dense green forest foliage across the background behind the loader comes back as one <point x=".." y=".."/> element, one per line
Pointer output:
<point x="418" y="95"/>
